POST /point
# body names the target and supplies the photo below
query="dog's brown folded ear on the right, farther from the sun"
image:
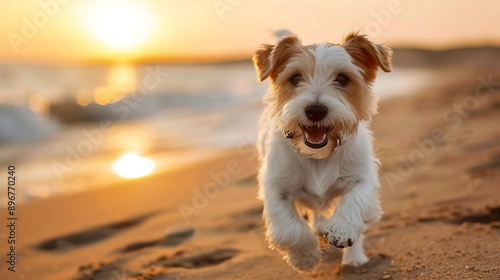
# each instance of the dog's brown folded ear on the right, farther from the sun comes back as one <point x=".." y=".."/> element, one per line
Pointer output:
<point x="367" y="55"/>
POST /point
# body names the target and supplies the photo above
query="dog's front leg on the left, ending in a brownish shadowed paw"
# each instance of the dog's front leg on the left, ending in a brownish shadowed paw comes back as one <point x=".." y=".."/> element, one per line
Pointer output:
<point x="288" y="232"/>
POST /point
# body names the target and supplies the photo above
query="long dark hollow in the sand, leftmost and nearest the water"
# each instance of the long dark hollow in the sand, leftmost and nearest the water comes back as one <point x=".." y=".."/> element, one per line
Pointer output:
<point x="91" y="235"/>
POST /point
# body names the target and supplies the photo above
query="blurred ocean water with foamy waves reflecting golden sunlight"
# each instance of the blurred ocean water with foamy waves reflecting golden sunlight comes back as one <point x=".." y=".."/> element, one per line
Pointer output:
<point x="64" y="127"/>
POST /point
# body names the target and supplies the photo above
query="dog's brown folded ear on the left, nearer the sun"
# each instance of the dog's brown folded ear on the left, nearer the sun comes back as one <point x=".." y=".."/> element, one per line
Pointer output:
<point x="269" y="58"/>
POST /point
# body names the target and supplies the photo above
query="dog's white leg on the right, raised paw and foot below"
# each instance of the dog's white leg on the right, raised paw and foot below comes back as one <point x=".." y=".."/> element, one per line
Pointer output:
<point x="357" y="208"/>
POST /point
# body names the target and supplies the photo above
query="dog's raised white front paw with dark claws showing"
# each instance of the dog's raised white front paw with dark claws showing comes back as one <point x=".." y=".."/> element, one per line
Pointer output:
<point x="341" y="235"/>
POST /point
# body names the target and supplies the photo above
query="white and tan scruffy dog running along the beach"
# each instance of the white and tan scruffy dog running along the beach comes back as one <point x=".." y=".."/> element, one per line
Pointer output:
<point x="315" y="146"/>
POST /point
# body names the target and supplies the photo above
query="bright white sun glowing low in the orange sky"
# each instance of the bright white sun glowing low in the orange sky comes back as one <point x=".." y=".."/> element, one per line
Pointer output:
<point x="120" y="25"/>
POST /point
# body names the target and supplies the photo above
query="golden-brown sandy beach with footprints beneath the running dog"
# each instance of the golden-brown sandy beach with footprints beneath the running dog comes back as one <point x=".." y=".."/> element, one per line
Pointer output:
<point x="440" y="193"/>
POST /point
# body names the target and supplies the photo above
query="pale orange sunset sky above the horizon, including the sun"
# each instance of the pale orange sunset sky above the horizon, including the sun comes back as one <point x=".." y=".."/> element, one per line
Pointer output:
<point x="201" y="30"/>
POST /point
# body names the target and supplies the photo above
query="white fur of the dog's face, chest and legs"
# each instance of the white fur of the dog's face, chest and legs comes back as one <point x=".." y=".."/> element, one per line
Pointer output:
<point x="289" y="180"/>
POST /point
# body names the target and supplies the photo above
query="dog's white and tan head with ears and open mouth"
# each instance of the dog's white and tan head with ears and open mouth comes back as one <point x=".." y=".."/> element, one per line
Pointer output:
<point x="320" y="92"/>
